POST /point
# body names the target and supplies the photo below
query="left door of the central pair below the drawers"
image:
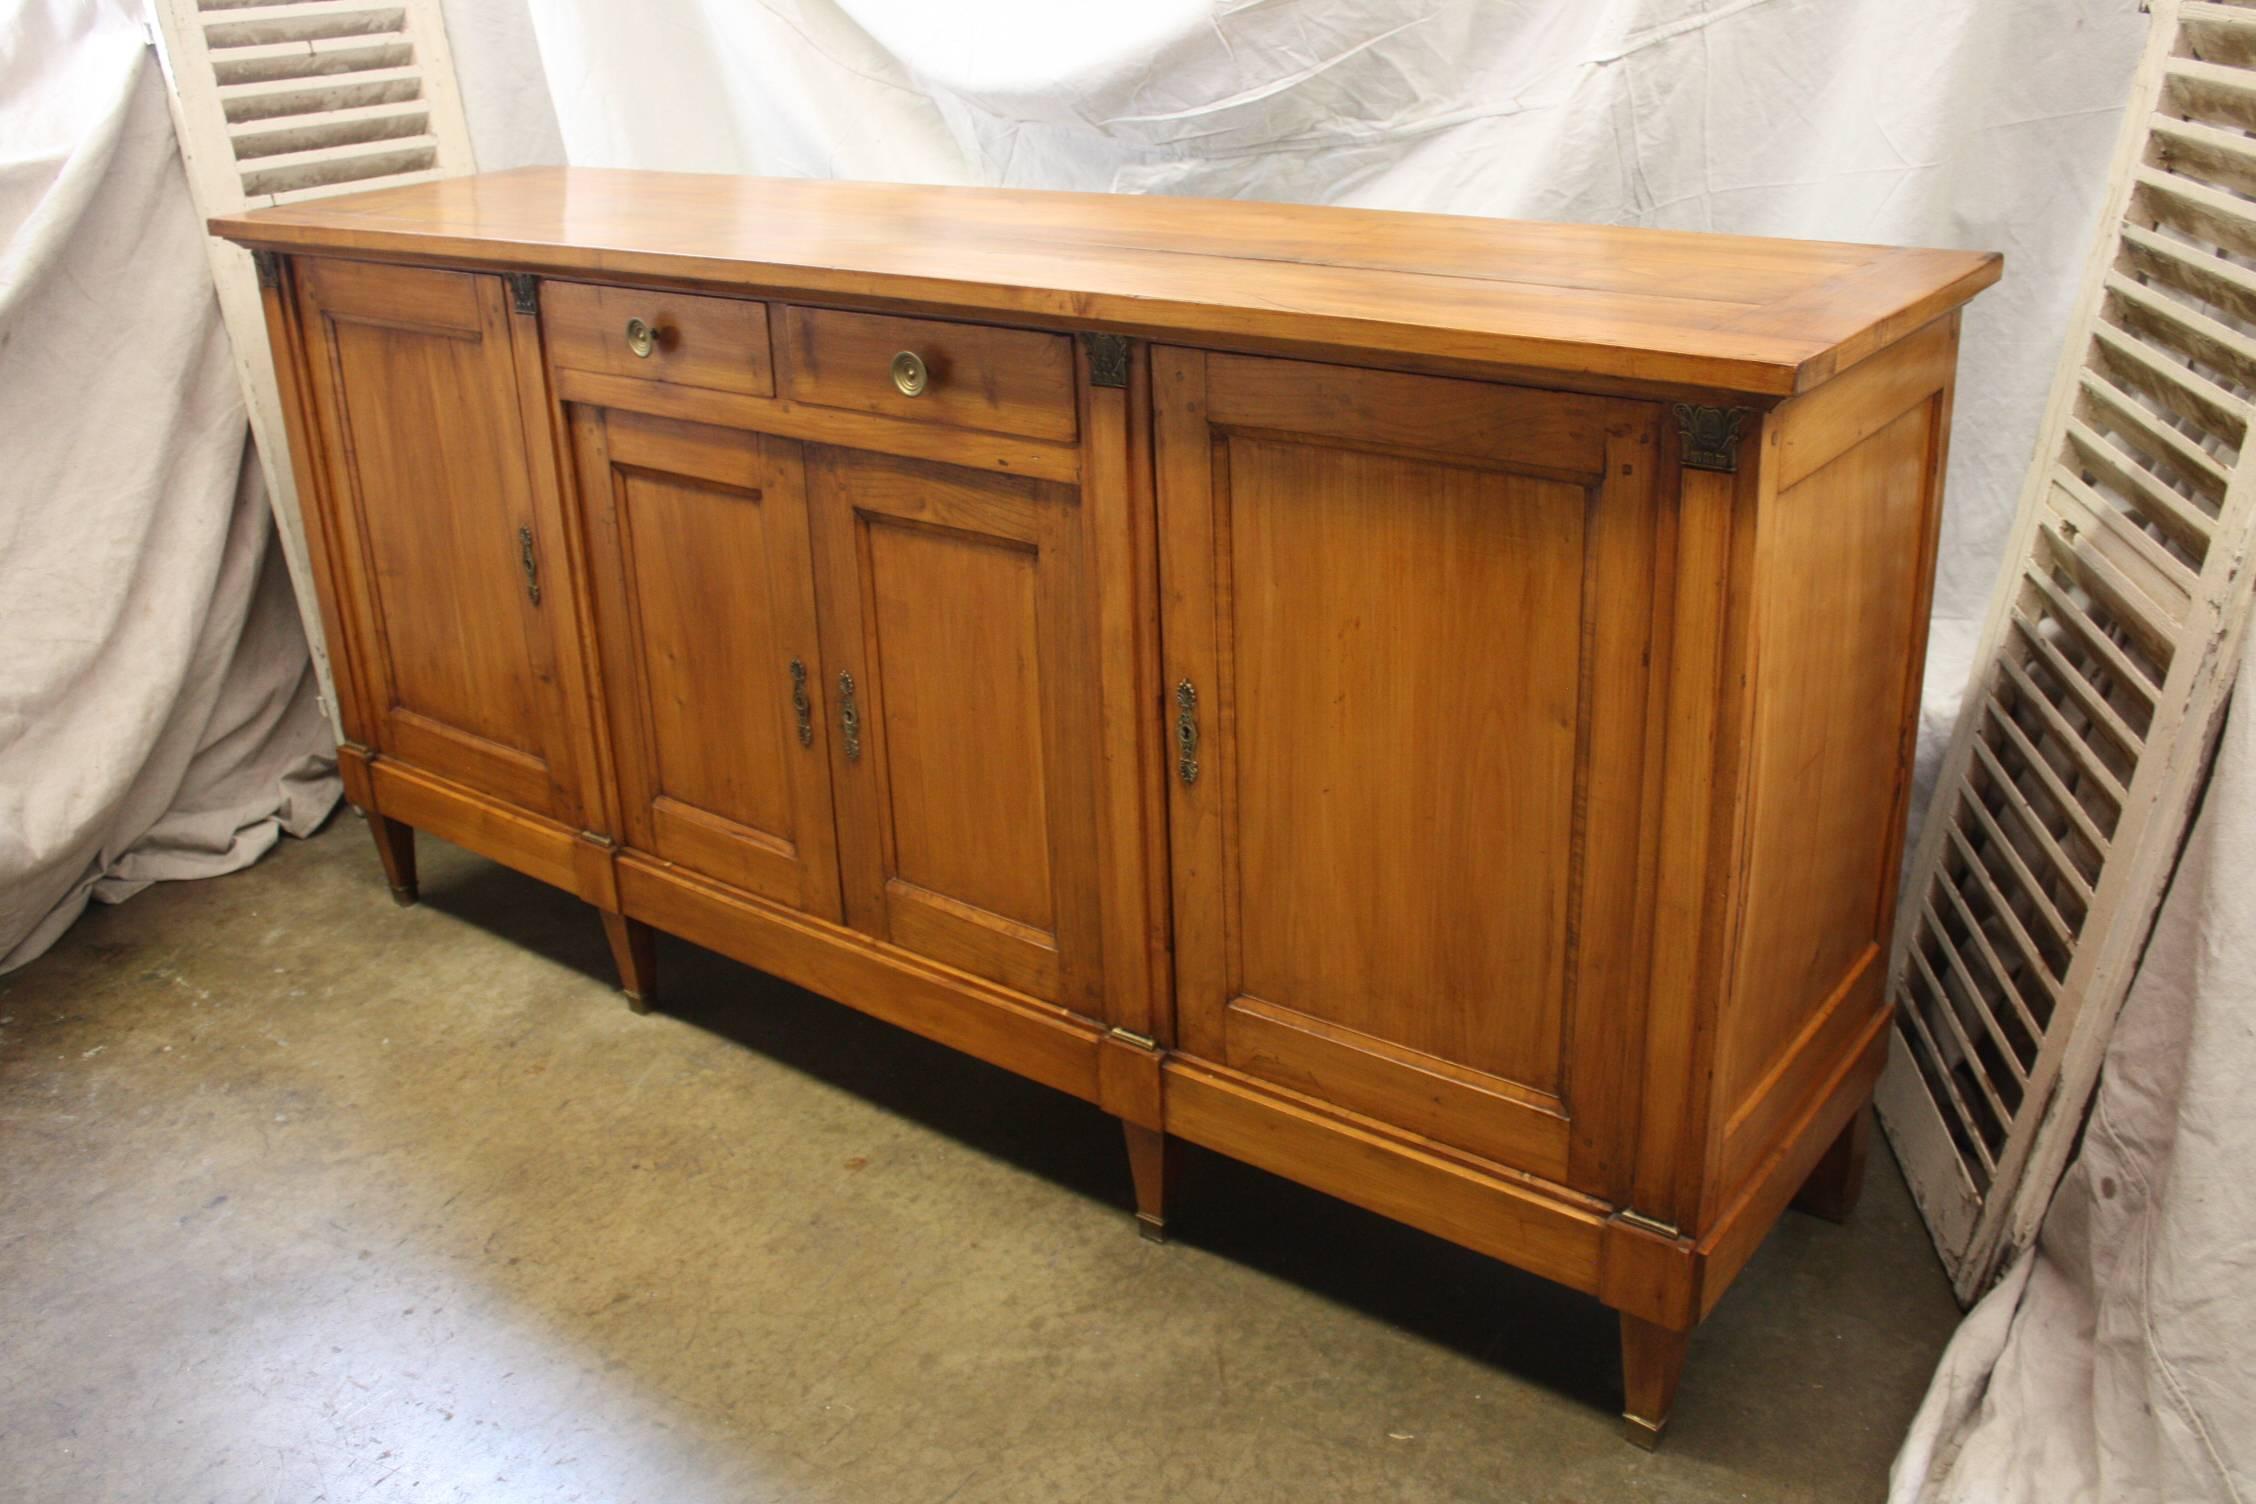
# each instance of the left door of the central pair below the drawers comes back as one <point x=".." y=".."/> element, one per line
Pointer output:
<point x="705" y="614"/>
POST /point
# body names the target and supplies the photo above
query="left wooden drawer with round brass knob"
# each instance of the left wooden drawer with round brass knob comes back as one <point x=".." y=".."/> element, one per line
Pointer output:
<point x="698" y="342"/>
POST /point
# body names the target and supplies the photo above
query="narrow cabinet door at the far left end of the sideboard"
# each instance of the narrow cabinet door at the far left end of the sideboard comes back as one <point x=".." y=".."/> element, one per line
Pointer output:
<point x="443" y="542"/>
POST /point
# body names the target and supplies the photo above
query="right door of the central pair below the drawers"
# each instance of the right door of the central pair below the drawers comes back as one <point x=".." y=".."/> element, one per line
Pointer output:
<point x="960" y="666"/>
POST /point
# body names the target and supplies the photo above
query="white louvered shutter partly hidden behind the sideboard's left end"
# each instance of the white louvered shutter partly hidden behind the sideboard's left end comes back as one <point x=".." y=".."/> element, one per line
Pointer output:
<point x="285" y="103"/>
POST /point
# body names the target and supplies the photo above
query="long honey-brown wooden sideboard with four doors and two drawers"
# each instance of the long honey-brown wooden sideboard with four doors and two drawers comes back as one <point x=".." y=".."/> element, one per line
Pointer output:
<point x="1418" y="705"/>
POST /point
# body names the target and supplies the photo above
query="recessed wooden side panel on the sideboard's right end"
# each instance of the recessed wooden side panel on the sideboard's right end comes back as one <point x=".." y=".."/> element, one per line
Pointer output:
<point x="1844" y="574"/>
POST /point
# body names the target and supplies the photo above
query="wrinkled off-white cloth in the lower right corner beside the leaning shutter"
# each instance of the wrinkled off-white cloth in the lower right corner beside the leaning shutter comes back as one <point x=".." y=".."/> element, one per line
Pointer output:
<point x="2117" y="1359"/>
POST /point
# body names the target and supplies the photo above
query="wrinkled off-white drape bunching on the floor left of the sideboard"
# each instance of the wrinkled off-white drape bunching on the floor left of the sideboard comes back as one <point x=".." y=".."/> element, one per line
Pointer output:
<point x="157" y="698"/>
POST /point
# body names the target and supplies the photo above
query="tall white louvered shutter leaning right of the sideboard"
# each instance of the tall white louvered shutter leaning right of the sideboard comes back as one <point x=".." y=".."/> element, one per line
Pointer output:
<point x="2104" y="671"/>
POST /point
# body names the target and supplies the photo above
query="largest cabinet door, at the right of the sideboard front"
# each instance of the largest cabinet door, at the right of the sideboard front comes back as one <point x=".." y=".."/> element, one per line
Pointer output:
<point x="1404" y="628"/>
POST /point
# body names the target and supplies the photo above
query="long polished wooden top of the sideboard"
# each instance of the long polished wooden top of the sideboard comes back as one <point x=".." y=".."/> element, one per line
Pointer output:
<point x="1673" y="308"/>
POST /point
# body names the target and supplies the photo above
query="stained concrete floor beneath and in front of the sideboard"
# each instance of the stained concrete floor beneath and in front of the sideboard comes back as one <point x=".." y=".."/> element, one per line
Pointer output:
<point x="315" y="1198"/>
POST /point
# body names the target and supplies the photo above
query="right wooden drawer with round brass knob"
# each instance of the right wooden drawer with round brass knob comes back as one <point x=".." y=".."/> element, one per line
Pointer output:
<point x="976" y="378"/>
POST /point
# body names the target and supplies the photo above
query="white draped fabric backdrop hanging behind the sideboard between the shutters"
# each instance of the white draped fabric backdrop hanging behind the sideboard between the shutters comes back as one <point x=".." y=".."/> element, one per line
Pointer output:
<point x="1928" y="123"/>
